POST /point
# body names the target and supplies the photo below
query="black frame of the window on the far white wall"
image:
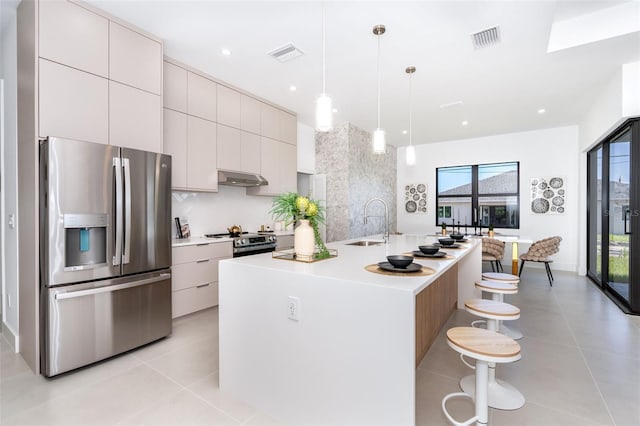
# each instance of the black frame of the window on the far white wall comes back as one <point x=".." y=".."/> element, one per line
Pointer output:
<point x="475" y="196"/>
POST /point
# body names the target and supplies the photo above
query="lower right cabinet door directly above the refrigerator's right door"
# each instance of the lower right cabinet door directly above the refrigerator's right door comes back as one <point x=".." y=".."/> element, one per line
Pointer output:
<point x="135" y="118"/>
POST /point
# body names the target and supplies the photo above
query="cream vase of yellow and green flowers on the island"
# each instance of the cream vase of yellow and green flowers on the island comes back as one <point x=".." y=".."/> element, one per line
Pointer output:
<point x="307" y="214"/>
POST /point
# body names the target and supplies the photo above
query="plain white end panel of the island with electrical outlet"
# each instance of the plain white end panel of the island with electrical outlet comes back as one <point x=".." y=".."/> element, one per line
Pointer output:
<point x="327" y="368"/>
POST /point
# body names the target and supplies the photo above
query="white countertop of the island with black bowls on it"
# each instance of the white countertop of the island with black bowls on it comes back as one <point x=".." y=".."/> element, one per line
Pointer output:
<point x="351" y="261"/>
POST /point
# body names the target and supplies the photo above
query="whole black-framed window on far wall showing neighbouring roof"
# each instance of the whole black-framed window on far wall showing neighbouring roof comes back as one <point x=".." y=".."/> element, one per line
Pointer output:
<point x="484" y="194"/>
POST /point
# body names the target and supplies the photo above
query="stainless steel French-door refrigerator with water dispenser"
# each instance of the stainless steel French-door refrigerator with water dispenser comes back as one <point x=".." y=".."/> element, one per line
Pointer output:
<point x="105" y="251"/>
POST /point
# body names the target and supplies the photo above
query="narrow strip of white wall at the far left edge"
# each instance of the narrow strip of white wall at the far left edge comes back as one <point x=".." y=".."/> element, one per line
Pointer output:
<point x="8" y="72"/>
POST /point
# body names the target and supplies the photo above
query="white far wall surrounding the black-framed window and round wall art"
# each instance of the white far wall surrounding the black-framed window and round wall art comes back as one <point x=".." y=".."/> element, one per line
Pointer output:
<point x="541" y="153"/>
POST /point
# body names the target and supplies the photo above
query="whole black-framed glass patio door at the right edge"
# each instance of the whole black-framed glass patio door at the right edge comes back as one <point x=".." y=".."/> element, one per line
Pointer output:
<point x="613" y="192"/>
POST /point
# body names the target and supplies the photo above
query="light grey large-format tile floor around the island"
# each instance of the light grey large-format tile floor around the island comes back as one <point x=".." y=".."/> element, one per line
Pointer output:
<point x="580" y="366"/>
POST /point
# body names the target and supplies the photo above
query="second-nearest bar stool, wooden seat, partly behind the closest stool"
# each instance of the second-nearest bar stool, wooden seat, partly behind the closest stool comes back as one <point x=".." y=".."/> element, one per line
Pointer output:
<point x="502" y="395"/>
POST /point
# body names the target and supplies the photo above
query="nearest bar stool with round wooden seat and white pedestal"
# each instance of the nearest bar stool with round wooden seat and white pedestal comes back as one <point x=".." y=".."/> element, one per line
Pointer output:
<point x="486" y="347"/>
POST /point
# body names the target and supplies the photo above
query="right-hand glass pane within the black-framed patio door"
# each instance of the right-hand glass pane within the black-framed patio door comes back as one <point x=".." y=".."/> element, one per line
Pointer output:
<point x="619" y="215"/>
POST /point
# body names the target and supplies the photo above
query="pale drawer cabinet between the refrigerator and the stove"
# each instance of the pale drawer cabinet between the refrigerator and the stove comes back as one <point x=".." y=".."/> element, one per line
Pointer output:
<point x="195" y="276"/>
